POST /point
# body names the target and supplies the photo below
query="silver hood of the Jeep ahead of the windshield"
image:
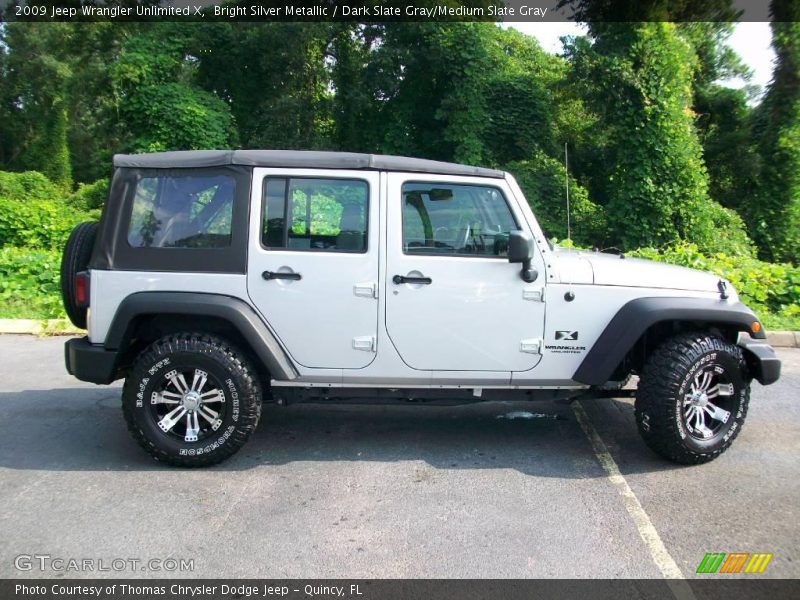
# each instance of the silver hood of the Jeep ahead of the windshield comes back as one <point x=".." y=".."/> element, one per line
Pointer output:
<point x="611" y="269"/>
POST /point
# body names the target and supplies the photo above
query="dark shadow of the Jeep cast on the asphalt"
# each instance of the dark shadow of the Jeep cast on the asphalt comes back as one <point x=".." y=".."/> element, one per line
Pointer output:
<point x="82" y="429"/>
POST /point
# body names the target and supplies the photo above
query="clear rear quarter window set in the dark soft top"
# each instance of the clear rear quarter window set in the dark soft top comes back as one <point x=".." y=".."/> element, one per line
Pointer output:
<point x="182" y="212"/>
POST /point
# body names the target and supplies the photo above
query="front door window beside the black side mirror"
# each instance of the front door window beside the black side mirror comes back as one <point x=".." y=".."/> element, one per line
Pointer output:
<point x="463" y="220"/>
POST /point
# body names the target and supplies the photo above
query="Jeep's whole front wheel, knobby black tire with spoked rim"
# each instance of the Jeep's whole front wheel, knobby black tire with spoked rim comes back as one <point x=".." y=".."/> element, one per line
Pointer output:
<point x="665" y="382"/>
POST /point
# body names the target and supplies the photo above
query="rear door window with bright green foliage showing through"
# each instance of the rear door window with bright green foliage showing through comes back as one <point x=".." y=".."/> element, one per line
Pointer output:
<point x="315" y="214"/>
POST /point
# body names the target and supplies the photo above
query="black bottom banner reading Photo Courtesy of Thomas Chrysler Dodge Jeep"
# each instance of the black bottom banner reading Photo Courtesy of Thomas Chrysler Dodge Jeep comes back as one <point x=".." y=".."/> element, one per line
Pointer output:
<point x="223" y="589"/>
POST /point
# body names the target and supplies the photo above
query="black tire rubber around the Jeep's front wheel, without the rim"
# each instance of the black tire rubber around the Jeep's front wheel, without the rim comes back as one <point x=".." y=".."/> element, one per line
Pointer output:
<point x="660" y="382"/>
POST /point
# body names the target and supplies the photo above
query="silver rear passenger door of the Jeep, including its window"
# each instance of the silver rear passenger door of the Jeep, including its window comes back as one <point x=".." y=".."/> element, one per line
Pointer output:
<point x="313" y="263"/>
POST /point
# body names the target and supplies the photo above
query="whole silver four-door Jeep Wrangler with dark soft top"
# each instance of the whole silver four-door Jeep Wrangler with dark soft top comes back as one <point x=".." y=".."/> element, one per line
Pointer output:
<point x="218" y="279"/>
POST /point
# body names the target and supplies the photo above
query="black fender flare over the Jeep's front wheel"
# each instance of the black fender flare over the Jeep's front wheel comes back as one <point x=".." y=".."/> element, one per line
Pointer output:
<point x="638" y="315"/>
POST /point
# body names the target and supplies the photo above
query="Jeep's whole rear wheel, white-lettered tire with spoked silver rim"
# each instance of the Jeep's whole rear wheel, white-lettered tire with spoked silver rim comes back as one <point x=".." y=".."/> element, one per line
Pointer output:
<point x="191" y="400"/>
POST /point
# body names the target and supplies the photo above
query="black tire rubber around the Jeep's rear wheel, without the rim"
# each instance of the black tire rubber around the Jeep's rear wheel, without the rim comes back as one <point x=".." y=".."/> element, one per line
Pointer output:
<point x="214" y="347"/>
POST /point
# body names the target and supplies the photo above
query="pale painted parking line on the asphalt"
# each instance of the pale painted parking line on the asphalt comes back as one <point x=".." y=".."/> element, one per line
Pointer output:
<point x="647" y="531"/>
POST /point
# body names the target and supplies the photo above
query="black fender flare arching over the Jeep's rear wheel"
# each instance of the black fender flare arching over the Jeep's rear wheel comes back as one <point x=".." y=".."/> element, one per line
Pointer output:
<point x="233" y="310"/>
